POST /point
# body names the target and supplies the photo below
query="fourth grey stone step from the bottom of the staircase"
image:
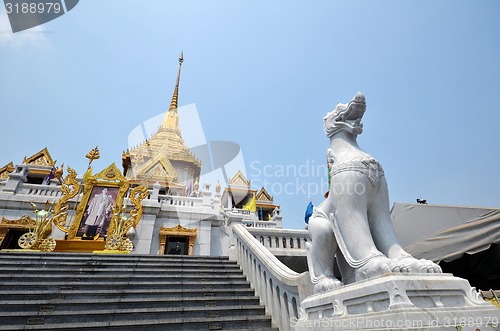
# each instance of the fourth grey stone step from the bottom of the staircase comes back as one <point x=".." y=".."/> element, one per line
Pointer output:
<point x="153" y="294"/>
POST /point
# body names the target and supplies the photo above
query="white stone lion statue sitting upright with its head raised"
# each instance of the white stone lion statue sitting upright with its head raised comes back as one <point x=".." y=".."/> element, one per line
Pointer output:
<point x="354" y="222"/>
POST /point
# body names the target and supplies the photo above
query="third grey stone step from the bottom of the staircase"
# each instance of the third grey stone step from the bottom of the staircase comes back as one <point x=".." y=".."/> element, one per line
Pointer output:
<point x="60" y="302"/>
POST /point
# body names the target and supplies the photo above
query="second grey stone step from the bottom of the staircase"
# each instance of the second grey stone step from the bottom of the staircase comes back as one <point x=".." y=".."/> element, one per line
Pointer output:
<point x="129" y="314"/>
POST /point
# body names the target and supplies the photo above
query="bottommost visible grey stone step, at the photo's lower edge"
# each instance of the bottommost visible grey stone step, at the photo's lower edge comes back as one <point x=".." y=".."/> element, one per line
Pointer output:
<point x="246" y="323"/>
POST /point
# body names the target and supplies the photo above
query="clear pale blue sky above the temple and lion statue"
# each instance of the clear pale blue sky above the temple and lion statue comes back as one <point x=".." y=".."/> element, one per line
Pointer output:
<point x="263" y="74"/>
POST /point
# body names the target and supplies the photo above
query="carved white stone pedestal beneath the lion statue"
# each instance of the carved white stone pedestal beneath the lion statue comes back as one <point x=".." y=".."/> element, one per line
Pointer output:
<point x="400" y="302"/>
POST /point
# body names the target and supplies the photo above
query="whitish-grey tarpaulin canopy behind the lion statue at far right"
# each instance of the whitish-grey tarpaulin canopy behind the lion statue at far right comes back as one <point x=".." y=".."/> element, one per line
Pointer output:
<point x="445" y="233"/>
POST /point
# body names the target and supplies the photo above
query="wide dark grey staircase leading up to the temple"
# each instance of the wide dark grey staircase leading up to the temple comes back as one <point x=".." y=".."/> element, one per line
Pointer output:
<point x="64" y="291"/>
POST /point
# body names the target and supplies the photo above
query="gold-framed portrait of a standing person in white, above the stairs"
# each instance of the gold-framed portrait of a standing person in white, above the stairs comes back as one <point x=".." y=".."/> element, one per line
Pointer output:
<point x="101" y="194"/>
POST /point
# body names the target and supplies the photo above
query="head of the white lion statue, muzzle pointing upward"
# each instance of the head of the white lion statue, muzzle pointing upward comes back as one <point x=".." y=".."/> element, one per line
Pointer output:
<point x="346" y="117"/>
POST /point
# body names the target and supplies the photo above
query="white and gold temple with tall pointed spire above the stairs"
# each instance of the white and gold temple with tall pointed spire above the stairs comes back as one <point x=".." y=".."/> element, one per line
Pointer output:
<point x="179" y="215"/>
